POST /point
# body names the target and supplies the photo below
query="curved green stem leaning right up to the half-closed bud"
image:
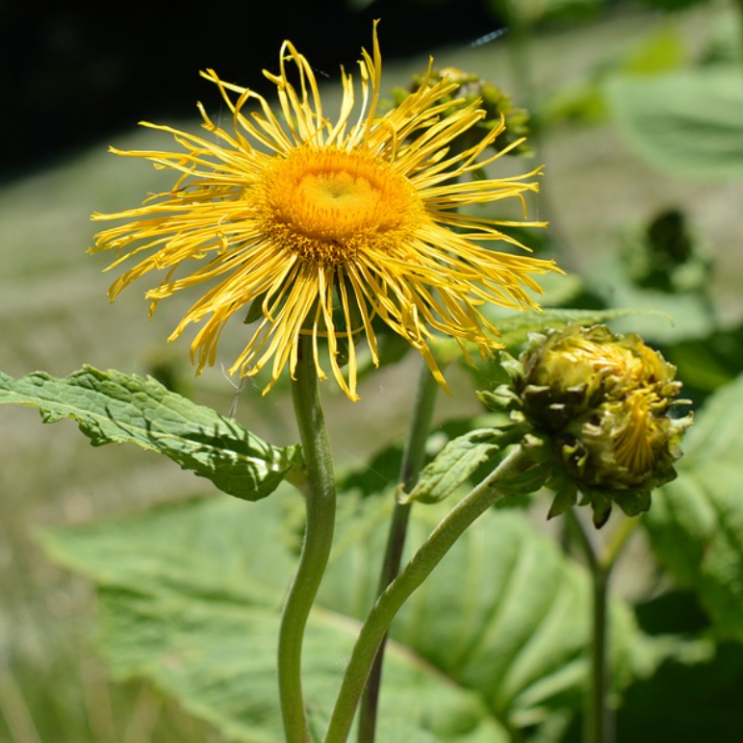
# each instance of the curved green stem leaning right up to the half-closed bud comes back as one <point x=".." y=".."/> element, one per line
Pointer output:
<point x="415" y="572"/>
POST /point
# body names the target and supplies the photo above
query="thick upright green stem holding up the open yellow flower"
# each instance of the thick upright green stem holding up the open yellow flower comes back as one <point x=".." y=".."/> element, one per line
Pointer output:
<point x="319" y="493"/>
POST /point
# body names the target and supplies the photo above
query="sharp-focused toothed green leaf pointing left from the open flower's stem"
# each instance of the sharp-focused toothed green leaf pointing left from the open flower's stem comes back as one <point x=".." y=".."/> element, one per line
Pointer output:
<point x="111" y="407"/>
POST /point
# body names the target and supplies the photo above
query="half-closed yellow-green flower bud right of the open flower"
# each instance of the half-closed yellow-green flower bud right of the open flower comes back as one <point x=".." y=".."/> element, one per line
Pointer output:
<point x="598" y="406"/>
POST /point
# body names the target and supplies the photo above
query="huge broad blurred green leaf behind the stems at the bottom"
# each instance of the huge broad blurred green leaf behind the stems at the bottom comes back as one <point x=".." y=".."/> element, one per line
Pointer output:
<point x="190" y="598"/>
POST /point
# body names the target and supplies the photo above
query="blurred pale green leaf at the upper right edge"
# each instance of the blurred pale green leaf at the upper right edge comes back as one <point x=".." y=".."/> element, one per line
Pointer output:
<point x="688" y="122"/>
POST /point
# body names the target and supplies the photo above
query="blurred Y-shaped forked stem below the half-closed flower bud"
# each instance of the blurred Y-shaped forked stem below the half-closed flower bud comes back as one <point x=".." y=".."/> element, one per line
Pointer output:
<point x="598" y="727"/>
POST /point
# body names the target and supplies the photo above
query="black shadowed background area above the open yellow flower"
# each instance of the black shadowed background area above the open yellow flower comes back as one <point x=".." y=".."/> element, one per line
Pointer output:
<point x="72" y="74"/>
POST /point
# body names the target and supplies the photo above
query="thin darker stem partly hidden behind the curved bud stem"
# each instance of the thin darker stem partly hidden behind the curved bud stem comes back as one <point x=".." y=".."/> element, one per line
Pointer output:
<point x="412" y="463"/>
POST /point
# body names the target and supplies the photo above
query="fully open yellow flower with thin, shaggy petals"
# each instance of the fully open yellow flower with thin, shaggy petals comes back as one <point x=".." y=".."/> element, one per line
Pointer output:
<point x="320" y="226"/>
